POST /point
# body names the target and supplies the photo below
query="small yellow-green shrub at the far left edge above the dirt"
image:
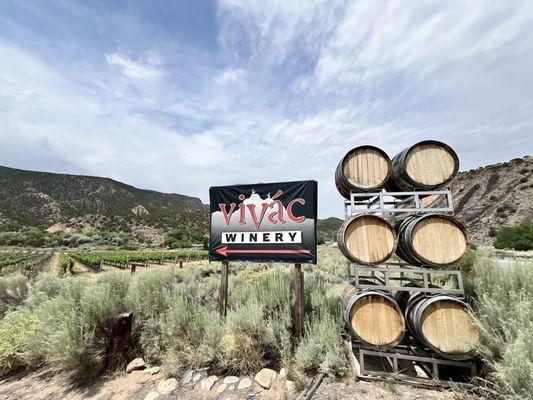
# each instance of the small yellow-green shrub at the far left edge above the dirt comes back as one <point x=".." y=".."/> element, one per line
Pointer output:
<point x="15" y="329"/>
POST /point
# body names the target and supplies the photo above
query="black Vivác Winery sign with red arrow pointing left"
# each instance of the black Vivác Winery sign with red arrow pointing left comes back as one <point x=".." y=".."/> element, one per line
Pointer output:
<point x="270" y="222"/>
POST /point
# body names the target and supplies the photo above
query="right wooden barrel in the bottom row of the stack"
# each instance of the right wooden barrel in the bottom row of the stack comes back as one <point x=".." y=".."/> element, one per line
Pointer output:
<point x="441" y="322"/>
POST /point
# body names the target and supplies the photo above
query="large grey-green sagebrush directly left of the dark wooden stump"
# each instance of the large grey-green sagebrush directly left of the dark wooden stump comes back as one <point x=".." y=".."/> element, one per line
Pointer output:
<point x="73" y="322"/>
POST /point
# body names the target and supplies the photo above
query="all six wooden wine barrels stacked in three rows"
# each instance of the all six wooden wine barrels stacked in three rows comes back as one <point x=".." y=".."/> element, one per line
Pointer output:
<point x="429" y="240"/>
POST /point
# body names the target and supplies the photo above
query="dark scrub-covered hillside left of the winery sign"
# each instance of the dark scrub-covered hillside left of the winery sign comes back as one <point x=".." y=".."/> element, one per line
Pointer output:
<point x="74" y="202"/>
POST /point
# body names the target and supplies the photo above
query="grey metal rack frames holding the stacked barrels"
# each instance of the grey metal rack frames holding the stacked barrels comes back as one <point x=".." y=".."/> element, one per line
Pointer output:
<point x="409" y="361"/>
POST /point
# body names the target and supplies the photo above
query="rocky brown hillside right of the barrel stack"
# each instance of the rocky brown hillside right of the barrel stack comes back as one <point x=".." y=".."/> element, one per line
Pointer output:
<point x="487" y="198"/>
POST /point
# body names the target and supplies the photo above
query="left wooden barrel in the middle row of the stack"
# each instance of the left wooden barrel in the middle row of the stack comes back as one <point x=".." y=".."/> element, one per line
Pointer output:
<point x="367" y="239"/>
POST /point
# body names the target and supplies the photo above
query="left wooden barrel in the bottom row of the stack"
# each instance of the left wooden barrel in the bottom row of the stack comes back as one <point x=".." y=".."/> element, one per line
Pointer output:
<point x="372" y="316"/>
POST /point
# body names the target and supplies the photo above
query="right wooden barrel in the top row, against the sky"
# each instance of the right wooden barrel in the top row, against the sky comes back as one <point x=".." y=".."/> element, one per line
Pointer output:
<point x="427" y="165"/>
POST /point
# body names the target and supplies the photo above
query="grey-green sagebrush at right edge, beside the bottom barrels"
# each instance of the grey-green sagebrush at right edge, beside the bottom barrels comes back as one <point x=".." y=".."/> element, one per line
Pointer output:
<point x="503" y="304"/>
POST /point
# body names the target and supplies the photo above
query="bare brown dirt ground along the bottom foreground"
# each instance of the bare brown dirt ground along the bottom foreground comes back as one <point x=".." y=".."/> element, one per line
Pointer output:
<point x="137" y="385"/>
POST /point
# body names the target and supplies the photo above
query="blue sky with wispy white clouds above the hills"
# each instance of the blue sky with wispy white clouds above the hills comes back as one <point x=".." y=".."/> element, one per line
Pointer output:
<point x="177" y="96"/>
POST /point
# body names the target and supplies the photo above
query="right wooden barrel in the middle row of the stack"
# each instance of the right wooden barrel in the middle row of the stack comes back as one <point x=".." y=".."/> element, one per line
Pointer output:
<point x="435" y="240"/>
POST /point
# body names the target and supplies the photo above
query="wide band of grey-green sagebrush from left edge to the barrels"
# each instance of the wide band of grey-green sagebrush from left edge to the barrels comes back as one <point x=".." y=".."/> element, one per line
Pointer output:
<point x="64" y="324"/>
